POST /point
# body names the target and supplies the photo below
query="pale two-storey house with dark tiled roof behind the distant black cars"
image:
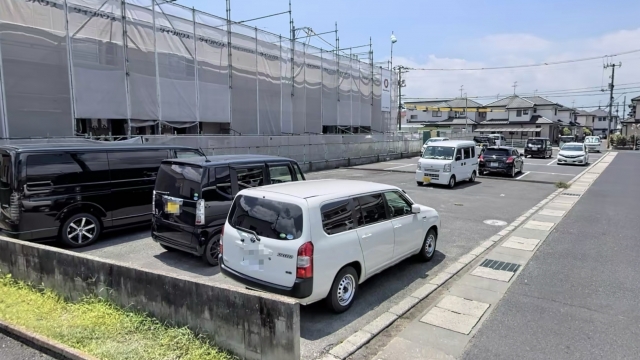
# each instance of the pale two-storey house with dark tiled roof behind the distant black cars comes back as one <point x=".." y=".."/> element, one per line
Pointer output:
<point x="518" y="117"/>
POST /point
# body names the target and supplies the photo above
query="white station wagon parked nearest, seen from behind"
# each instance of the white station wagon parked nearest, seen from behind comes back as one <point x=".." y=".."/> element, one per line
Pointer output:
<point x="318" y="240"/>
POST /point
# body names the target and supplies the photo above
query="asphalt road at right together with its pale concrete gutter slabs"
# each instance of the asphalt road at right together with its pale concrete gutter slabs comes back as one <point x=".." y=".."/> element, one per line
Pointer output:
<point x="523" y="297"/>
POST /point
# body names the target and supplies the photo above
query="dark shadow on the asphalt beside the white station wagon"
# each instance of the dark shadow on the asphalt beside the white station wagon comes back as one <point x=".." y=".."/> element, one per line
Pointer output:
<point x="317" y="321"/>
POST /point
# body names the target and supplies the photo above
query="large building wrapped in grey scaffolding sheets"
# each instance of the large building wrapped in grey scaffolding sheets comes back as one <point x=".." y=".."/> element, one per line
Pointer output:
<point x="70" y="67"/>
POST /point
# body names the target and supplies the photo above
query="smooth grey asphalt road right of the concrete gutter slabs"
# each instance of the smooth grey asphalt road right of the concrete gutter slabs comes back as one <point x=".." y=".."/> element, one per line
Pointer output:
<point x="578" y="296"/>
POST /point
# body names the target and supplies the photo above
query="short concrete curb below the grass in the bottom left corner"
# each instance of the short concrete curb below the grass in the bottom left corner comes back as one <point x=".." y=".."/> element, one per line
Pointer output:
<point x="42" y="343"/>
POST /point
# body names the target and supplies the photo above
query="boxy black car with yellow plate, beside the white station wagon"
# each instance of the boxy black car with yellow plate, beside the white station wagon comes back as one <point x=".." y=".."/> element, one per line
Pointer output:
<point x="193" y="196"/>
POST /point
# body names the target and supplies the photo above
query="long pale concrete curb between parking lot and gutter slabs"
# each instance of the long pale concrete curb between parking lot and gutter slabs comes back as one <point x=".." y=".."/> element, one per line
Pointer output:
<point x="356" y="341"/>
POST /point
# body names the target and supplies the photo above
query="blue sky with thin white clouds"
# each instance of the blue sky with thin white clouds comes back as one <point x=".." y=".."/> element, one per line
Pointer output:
<point x="471" y="34"/>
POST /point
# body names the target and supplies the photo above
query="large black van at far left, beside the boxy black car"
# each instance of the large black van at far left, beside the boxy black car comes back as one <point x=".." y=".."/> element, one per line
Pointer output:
<point x="75" y="191"/>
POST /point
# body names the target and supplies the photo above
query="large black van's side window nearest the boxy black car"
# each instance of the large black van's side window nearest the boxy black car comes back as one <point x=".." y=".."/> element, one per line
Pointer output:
<point x="133" y="165"/>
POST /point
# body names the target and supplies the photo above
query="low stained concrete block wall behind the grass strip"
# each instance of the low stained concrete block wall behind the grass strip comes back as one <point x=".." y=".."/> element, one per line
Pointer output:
<point x="256" y="326"/>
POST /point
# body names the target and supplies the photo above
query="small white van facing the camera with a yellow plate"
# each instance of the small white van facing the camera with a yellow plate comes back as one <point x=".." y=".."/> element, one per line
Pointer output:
<point x="448" y="162"/>
